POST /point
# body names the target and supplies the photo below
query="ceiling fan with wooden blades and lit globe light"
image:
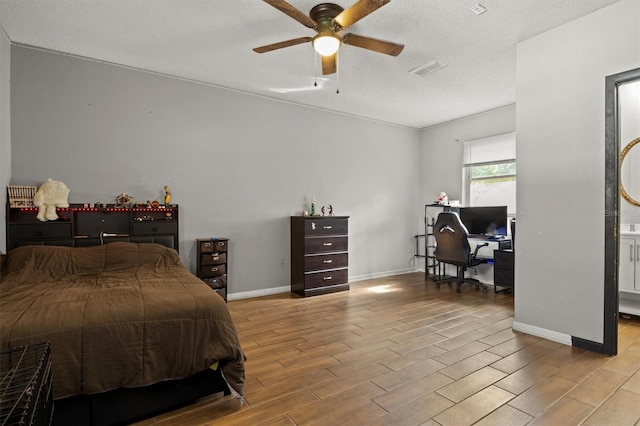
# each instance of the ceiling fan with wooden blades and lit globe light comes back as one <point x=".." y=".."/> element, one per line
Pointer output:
<point x="329" y="21"/>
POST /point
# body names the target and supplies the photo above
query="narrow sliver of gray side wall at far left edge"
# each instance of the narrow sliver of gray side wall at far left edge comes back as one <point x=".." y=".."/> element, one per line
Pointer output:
<point x="5" y="130"/>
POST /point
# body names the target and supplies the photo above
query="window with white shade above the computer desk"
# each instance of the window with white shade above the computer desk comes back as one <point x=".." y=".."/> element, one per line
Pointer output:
<point x="489" y="172"/>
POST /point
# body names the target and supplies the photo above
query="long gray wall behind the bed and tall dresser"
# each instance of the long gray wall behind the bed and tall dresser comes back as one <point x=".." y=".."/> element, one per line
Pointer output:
<point x="238" y="165"/>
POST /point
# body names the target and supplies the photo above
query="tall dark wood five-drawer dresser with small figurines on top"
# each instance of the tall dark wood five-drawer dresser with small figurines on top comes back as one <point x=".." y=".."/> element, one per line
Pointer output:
<point x="319" y="254"/>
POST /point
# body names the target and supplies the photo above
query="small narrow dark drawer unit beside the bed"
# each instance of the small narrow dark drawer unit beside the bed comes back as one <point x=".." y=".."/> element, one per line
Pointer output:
<point x="212" y="263"/>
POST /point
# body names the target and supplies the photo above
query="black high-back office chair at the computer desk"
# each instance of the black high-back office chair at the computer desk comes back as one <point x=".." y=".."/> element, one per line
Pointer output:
<point x="452" y="246"/>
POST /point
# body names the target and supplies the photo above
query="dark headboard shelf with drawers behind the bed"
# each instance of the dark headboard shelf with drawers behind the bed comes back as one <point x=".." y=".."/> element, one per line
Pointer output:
<point x="81" y="225"/>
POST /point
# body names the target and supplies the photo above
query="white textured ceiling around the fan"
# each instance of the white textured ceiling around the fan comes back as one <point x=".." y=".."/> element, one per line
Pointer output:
<point x="211" y="41"/>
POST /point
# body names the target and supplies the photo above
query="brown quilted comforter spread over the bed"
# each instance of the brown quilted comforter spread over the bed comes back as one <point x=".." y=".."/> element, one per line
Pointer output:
<point x="118" y="315"/>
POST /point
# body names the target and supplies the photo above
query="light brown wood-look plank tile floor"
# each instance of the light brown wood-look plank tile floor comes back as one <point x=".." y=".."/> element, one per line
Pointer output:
<point x="398" y="351"/>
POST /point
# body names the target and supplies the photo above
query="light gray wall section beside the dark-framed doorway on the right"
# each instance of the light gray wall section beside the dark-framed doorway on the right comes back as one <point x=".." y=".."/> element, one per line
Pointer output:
<point x="560" y="123"/>
